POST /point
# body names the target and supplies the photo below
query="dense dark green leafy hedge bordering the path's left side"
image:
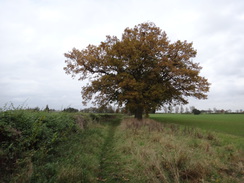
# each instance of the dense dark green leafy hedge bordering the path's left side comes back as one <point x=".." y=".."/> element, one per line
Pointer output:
<point x="28" y="138"/>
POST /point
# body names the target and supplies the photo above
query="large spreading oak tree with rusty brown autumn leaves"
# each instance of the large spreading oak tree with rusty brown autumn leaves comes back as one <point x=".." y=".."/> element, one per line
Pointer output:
<point x="143" y="70"/>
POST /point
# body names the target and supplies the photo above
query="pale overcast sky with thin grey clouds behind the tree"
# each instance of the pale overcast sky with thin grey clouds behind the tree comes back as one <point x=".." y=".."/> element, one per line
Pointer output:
<point x="34" y="35"/>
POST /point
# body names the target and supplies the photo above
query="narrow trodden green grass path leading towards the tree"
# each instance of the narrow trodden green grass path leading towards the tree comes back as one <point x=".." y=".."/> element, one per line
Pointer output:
<point x="109" y="158"/>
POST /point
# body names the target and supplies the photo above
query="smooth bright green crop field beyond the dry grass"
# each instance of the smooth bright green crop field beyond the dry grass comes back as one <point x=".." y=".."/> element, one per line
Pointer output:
<point x="226" y="123"/>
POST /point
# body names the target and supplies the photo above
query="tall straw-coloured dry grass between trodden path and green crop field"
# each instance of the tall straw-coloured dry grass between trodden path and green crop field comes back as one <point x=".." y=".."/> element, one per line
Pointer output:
<point x="154" y="152"/>
